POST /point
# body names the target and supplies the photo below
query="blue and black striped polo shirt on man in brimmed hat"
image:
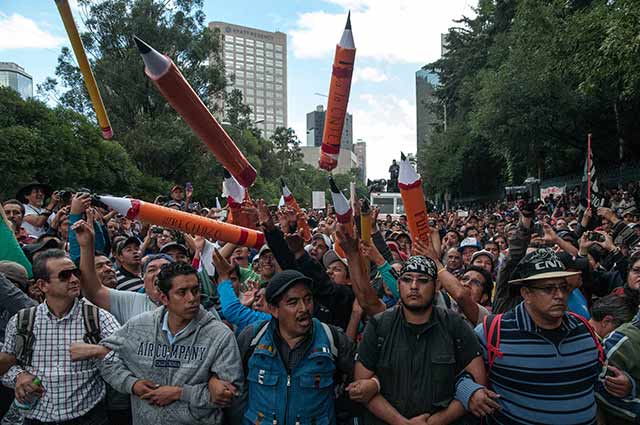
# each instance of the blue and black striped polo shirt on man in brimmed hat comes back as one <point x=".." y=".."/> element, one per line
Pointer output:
<point x="540" y="382"/>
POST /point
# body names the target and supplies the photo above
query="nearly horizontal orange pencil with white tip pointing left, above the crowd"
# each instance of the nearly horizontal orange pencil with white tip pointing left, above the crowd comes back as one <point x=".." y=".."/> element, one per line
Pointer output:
<point x="185" y="222"/>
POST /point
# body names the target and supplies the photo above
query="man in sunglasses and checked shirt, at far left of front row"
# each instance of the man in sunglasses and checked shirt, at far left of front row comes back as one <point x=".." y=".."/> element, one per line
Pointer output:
<point x="71" y="392"/>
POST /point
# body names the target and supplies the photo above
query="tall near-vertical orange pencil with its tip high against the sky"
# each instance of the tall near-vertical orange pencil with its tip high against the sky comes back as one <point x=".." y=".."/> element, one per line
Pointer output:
<point x="338" y="98"/>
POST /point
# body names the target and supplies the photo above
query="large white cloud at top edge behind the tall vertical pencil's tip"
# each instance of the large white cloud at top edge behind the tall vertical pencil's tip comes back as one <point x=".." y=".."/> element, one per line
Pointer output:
<point x="400" y="31"/>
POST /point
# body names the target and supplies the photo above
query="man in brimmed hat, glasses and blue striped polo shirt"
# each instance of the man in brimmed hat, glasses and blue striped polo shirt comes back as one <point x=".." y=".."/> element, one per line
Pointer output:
<point x="542" y="361"/>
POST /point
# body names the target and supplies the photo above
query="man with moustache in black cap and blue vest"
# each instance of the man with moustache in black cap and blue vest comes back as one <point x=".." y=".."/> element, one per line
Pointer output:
<point x="291" y="359"/>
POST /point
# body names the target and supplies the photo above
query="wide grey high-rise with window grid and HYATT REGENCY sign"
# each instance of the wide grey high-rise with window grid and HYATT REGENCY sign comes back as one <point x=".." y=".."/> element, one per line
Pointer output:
<point x="258" y="61"/>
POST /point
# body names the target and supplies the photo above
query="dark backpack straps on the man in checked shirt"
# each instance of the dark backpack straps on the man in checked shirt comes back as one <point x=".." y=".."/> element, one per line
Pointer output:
<point x="25" y="339"/>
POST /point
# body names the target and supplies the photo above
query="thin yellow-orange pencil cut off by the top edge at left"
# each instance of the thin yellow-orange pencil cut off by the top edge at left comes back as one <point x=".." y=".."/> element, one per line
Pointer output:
<point x="85" y="68"/>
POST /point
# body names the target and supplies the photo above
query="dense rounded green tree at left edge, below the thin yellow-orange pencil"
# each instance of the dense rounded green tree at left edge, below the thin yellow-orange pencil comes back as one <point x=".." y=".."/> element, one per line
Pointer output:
<point x="64" y="149"/>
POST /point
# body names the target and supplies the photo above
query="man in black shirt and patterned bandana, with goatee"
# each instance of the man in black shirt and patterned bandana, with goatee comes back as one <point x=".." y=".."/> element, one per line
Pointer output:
<point x="417" y="351"/>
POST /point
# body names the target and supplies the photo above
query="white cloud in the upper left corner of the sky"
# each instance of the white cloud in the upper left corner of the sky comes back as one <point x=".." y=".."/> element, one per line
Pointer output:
<point x="18" y="32"/>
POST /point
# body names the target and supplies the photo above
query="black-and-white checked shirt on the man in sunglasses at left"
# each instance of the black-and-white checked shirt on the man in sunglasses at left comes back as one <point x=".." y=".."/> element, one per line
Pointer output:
<point x="71" y="389"/>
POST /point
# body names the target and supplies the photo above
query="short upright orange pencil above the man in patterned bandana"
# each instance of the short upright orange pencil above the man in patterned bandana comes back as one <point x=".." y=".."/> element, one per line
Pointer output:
<point x="410" y="184"/>
